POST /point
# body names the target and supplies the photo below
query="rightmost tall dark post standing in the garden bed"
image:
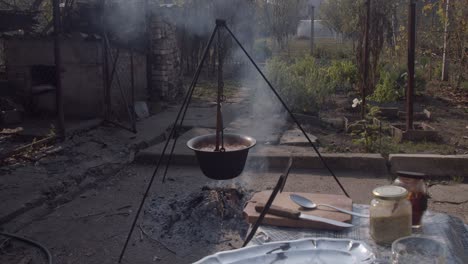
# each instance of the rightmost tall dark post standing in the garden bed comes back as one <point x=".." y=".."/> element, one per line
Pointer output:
<point x="411" y="51"/>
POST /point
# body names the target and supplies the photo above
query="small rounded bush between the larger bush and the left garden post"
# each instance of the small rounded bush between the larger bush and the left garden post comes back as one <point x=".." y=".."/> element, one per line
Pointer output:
<point x="342" y="74"/>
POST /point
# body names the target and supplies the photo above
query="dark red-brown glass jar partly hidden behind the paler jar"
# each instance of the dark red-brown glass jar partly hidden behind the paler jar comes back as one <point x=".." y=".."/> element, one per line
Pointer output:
<point x="414" y="183"/>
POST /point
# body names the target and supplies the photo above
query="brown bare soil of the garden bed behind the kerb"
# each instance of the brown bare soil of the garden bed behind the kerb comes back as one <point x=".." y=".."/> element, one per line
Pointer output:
<point x="449" y="115"/>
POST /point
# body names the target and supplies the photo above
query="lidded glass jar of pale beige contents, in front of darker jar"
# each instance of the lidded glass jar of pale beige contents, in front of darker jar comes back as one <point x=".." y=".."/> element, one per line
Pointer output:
<point x="390" y="214"/>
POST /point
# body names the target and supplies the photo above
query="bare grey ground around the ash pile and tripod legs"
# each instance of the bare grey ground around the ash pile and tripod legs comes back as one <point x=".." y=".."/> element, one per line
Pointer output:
<point x="92" y="228"/>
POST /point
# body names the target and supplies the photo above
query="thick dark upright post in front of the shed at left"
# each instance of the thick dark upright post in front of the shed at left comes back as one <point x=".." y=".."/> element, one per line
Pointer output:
<point x="58" y="69"/>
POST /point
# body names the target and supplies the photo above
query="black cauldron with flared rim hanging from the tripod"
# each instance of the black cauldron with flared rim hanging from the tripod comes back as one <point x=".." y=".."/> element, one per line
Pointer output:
<point x="221" y="165"/>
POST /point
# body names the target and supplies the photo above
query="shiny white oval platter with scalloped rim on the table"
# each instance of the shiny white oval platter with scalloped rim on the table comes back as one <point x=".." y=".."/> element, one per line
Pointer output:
<point x="308" y="250"/>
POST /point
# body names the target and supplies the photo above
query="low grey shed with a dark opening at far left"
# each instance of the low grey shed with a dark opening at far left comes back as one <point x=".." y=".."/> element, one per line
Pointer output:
<point x="30" y="70"/>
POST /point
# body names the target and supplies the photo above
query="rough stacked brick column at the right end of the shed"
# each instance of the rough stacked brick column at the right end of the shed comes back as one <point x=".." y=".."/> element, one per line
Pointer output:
<point x="165" y="58"/>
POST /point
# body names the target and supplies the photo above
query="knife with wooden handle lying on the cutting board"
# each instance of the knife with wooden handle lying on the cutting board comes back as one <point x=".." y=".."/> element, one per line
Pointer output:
<point x="293" y="214"/>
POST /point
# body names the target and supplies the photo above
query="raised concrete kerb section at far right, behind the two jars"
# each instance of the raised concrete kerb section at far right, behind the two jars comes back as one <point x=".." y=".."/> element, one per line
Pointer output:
<point x="430" y="164"/>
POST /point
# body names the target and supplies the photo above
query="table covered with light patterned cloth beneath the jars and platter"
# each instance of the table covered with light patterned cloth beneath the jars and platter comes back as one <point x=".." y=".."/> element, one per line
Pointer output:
<point x="451" y="230"/>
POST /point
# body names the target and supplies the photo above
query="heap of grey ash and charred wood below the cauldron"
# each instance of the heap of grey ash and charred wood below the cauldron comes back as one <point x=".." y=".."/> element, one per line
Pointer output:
<point x="209" y="217"/>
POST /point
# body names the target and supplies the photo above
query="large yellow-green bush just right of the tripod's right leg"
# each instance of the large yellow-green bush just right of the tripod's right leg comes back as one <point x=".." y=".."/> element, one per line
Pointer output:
<point x="302" y="84"/>
